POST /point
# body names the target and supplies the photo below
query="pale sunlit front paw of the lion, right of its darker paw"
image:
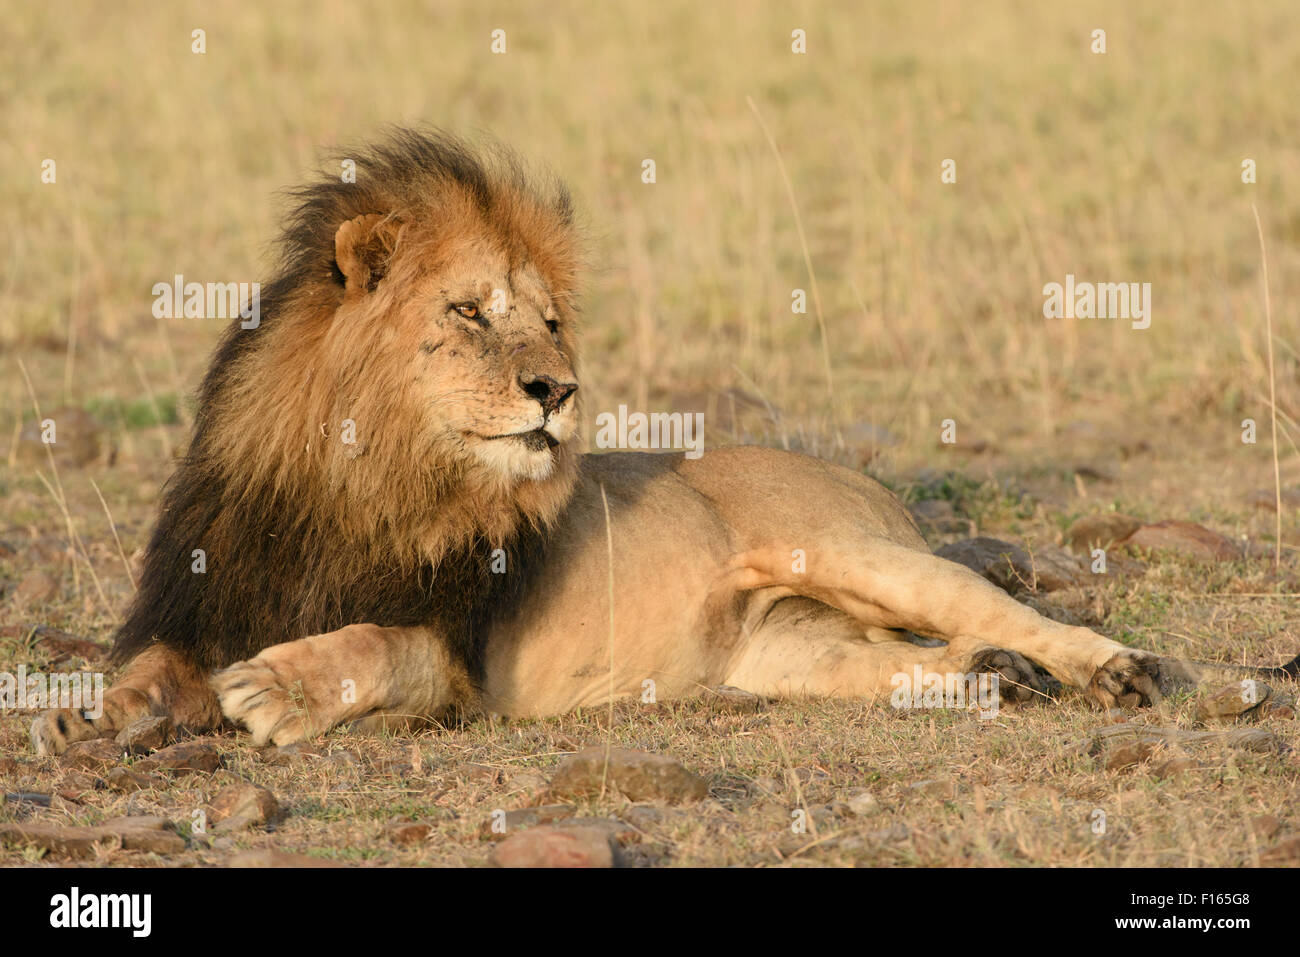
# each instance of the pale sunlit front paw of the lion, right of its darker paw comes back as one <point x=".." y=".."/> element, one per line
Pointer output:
<point x="267" y="699"/>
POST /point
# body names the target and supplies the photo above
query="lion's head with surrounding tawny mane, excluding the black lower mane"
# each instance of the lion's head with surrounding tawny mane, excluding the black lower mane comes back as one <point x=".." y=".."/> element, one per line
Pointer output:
<point x="421" y="349"/>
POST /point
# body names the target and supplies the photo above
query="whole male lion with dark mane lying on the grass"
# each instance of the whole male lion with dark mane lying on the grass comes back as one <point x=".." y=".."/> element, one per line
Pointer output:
<point x="395" y="522"/>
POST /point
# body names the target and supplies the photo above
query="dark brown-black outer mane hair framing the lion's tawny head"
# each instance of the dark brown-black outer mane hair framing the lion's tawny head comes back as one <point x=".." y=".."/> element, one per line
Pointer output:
<point x="280" y="562"/>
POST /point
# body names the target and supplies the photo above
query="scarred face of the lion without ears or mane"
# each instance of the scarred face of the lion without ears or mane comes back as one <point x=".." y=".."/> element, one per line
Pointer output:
<point x="493" y="363"/>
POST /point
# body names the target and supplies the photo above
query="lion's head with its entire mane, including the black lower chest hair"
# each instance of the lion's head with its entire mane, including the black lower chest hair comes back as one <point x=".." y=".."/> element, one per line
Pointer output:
<point x="408" y="402"/>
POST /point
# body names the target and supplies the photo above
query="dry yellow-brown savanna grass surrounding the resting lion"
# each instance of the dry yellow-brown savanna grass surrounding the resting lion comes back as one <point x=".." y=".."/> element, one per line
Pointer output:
<point x="1116" y="167"/>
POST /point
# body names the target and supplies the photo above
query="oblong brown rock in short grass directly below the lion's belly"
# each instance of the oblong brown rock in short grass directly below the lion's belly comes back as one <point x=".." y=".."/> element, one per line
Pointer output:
<point x="639" y="776"/>
